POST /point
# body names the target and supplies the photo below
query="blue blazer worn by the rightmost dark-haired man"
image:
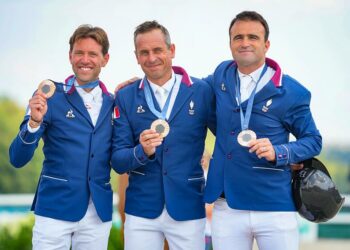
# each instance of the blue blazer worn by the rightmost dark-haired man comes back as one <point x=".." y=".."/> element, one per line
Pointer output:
<point x="281" y="108"/>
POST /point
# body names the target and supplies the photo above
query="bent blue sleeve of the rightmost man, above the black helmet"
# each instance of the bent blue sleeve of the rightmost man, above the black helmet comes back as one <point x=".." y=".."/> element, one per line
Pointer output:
<point x="298" y="120"/>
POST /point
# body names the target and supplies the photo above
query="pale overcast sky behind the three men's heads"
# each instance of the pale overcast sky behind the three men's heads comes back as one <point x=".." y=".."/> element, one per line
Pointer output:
<point x="309" y="39"/>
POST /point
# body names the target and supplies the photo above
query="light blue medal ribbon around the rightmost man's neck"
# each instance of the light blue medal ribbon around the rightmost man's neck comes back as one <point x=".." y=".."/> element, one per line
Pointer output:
<point x="245" y="118"/>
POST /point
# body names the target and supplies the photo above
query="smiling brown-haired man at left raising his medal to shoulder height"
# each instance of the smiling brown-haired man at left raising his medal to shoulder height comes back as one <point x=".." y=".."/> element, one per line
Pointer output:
<point x="73" y="201"/>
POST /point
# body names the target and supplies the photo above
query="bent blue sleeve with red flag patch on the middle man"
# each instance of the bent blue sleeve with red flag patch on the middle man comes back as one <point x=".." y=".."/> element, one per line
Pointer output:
<point x="126" y="154"/>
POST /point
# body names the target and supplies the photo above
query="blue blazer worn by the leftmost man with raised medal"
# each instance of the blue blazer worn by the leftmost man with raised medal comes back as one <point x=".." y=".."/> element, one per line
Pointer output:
<point x="77" y="157"/>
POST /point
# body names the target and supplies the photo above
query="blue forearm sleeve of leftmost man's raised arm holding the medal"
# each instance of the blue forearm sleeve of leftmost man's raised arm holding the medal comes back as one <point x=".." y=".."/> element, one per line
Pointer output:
<point x="23" y="146"/>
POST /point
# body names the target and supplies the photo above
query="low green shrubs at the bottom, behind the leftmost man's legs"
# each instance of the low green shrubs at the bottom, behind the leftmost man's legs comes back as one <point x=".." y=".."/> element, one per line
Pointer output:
<point x="19" y="236"/>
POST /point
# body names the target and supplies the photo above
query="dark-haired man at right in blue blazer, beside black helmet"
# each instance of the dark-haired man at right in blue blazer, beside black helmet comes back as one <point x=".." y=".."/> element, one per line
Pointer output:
<point x="257" y="108"/>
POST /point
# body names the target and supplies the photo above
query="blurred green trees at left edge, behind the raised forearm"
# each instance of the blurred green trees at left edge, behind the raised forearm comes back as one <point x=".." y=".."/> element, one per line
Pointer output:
<point x="13" y="180"/>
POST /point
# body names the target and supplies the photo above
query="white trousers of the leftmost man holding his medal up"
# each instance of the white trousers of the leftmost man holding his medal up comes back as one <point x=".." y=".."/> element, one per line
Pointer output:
<point x="90" y="233"/>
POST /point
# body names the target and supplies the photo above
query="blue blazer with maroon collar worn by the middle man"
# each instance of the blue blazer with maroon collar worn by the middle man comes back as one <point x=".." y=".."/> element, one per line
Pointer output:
<point x="174" y="178"/>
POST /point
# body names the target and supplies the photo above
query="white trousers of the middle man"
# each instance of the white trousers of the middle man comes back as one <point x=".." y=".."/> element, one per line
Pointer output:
<point x="145" y="234"/>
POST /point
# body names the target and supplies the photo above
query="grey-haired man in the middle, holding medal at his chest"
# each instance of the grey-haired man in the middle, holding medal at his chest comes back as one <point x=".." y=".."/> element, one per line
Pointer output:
<point x="160" y="127"/>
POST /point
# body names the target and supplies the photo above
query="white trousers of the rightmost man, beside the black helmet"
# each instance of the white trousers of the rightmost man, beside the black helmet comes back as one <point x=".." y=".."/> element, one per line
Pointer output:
<point x="236" y="229"/>
